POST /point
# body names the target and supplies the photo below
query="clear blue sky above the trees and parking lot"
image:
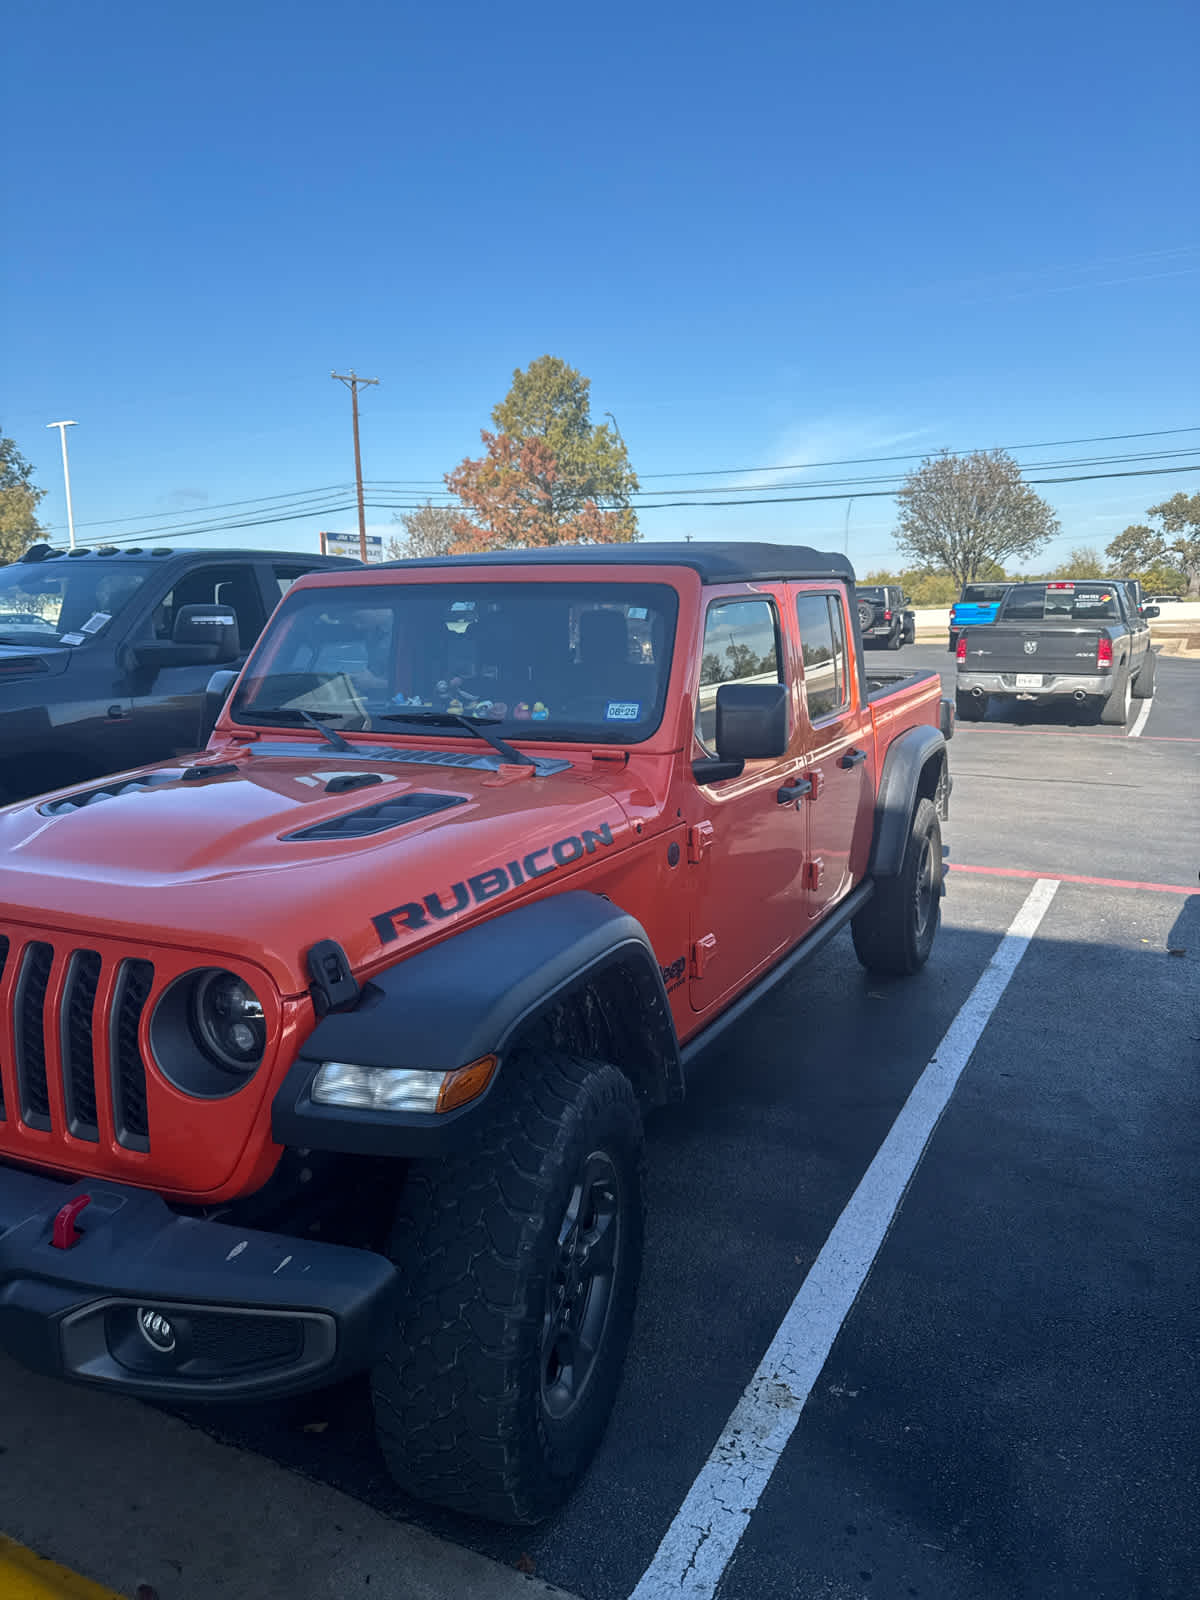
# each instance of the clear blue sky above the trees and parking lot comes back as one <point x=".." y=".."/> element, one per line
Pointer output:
<point x="770" y="234"/>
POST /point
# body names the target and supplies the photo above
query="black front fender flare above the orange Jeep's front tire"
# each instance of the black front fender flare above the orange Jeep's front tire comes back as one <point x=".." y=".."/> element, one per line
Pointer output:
<point x="473" y="996"/>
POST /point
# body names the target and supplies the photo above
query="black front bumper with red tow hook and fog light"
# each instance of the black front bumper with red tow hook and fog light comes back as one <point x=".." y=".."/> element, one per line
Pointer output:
<point x="247" y="1314"/>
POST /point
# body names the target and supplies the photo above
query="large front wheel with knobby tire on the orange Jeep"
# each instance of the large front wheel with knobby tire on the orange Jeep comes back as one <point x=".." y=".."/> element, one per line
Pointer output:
<point x="521" y="1258"/>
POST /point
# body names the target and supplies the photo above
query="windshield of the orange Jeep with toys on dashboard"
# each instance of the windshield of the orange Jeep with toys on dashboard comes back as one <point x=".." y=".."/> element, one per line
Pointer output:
<point x="561" y="662"/>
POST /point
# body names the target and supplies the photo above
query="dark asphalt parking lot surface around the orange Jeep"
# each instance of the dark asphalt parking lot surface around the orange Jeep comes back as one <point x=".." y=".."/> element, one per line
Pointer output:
<point x="1010" y="1406"/>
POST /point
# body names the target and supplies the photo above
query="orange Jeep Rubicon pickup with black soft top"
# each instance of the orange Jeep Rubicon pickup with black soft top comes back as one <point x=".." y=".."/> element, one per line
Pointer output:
<point x="327" y="1050"/>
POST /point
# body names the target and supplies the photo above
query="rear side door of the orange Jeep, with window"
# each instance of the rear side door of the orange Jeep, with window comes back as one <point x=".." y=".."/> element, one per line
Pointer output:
<point x="838" y="759"/>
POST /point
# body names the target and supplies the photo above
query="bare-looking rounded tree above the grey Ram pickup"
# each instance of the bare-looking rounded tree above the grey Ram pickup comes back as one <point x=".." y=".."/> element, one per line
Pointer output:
<point x="966" y="514"/>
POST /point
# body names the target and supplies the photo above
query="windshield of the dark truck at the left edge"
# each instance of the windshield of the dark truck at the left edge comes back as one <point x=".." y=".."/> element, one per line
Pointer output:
<point x="44" y="601"/>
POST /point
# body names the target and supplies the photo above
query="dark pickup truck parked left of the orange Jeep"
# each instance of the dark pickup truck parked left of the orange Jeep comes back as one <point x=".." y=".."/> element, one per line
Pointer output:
<point x="106" y="655"/>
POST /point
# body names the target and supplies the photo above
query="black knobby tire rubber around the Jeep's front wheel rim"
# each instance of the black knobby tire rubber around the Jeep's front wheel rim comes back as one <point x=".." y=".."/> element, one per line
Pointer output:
<point x="452" y="1396"/>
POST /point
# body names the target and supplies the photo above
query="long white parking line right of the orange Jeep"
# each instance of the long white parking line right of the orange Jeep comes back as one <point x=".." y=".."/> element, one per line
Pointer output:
<point x="706" y="1530"/>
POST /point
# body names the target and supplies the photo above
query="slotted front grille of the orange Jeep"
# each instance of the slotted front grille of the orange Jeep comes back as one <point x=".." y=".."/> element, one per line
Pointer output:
<point x="71" y="1050"/>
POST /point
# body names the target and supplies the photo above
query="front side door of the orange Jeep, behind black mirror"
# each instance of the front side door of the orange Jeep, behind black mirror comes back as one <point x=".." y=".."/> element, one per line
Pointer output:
<point x="750" y="844"/>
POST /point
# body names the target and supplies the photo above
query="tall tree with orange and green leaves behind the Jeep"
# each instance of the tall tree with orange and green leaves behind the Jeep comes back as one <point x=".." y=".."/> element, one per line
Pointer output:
<point x="550" y="474"/>
